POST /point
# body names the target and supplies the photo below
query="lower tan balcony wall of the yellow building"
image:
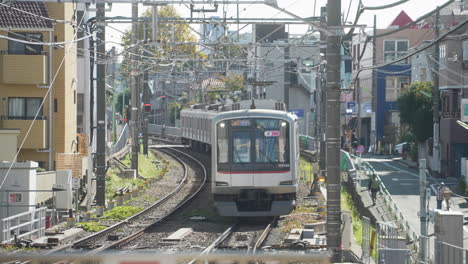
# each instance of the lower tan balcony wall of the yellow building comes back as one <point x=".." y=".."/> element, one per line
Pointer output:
<point x="37" y="138"/>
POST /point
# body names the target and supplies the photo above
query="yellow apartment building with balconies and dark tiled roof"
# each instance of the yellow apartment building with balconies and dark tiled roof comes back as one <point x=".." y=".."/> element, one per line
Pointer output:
<point x="25" y="77"/>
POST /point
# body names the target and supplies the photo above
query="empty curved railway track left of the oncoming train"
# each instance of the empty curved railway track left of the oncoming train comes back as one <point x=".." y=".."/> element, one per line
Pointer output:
<point x="131" y="228"/>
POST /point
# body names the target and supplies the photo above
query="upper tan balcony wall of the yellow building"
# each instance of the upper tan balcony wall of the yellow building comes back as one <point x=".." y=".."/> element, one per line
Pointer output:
<point x="23" y="69"/>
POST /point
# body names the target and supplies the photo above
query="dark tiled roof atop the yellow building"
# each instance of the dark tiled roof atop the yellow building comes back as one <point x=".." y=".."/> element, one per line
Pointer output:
<point x="11" y="18"/>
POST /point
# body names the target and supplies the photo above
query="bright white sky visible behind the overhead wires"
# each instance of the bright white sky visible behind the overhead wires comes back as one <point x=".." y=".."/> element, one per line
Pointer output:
<point x="302" y="8"/>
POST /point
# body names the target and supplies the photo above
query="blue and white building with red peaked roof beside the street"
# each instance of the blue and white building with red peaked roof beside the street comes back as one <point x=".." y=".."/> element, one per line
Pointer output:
<point x="376" y="97"/>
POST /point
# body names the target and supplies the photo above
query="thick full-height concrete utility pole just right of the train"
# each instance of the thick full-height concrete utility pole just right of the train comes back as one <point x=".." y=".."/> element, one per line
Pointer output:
<point x="333" y="129"/>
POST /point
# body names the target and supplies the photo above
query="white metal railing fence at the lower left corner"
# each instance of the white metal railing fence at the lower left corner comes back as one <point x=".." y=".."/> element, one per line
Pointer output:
<point x="29" y="224"/>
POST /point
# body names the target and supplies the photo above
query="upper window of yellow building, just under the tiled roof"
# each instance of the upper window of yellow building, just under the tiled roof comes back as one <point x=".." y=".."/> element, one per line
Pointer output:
<point x="15" y="47"/>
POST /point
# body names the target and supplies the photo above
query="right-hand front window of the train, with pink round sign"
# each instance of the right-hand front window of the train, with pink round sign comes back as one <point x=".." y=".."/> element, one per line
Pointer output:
<point x="271" y="141"/>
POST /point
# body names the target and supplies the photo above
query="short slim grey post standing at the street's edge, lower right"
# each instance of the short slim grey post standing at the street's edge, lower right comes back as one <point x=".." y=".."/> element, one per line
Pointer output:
<point x="423" y="212"/>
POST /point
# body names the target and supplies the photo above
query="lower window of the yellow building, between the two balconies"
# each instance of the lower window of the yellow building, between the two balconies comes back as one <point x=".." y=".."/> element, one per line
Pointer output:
<point x="24" y="108"/>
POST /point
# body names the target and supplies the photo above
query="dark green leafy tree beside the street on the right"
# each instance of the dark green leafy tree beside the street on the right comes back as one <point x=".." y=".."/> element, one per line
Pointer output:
<point x="415" y="106"/>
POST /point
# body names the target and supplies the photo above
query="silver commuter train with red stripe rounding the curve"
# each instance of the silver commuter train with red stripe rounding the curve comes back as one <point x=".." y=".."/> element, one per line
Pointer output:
<point x="254" y="154"/>
